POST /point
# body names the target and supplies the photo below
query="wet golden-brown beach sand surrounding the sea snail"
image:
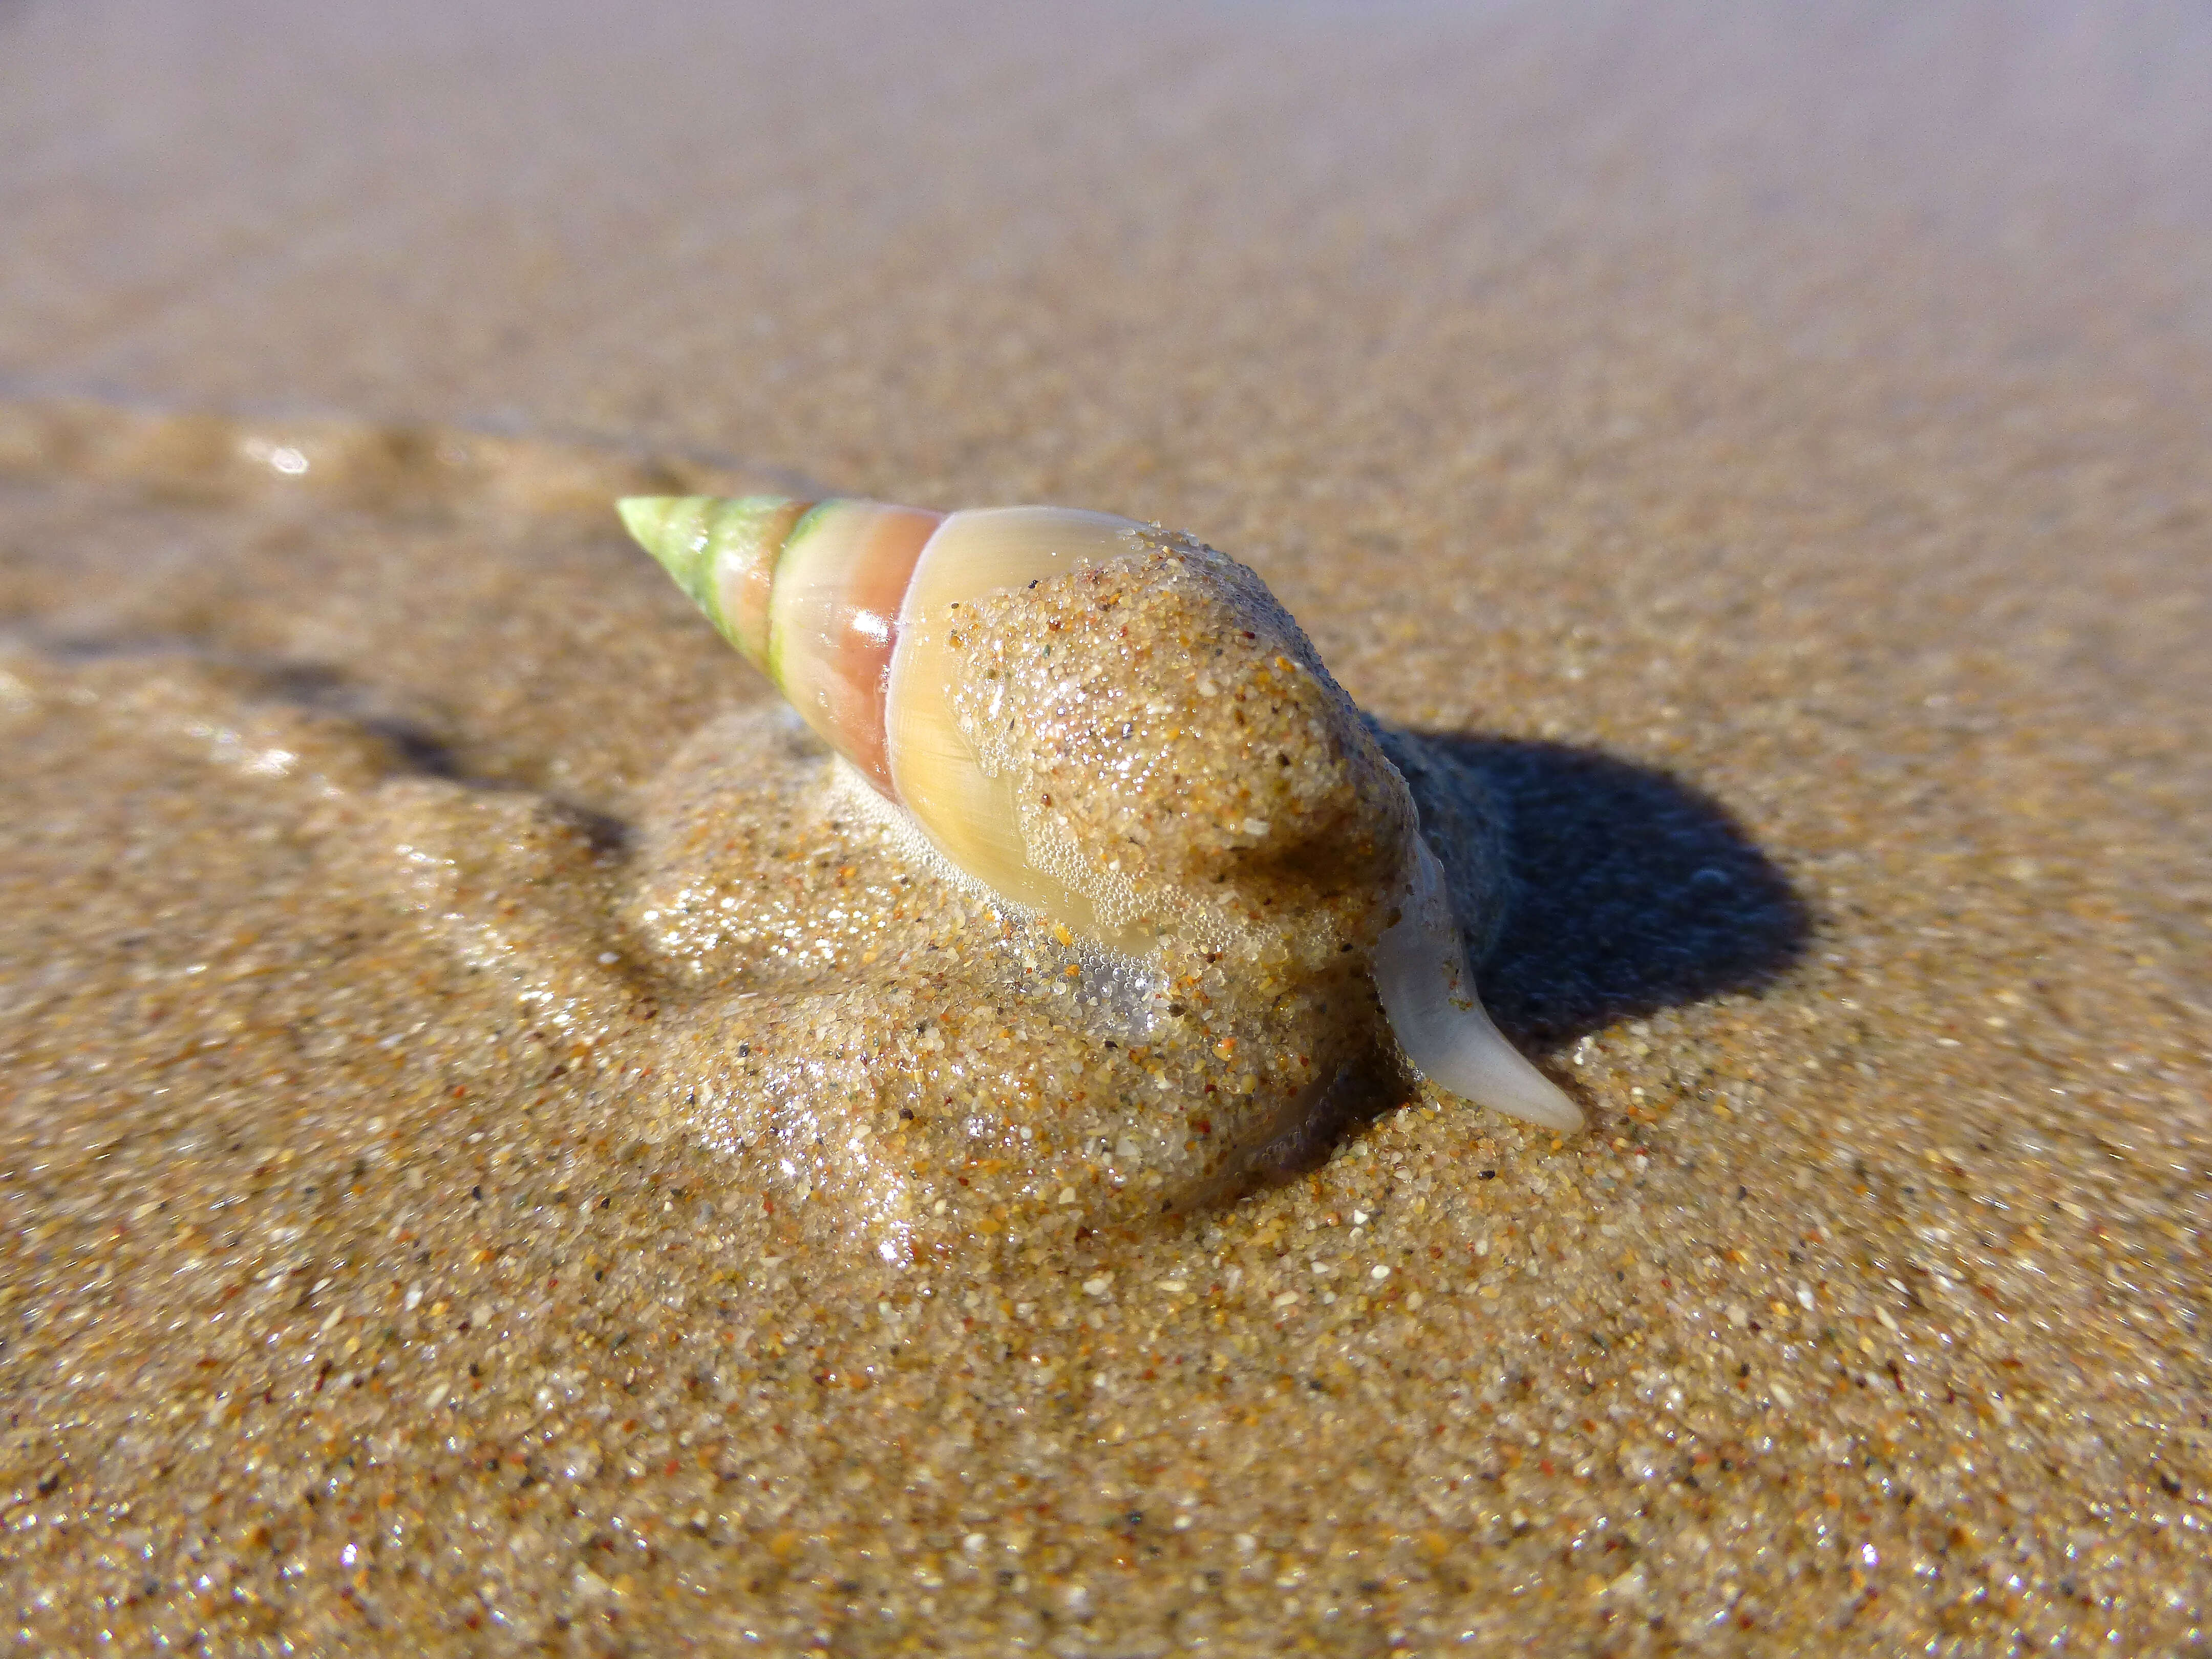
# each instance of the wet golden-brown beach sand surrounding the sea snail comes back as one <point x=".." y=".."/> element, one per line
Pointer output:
<point x="1773" y="457"/>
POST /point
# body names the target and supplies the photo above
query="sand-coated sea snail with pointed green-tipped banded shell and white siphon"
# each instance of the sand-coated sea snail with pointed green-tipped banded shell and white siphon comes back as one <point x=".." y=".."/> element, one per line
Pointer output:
<point x="1116" y="740"/>
